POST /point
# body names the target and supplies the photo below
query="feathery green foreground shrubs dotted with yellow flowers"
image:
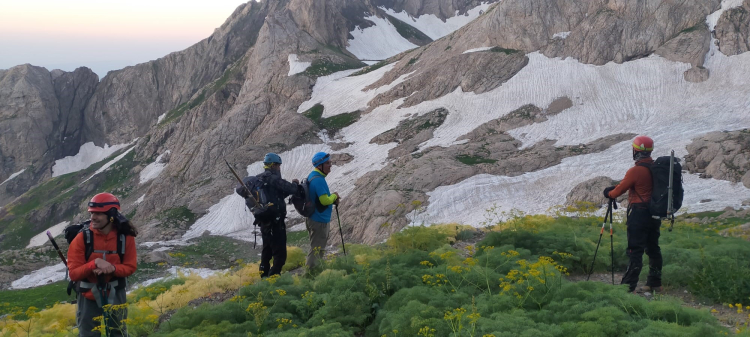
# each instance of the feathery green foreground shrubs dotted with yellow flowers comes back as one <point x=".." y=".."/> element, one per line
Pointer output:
<point x="423" y="282"/>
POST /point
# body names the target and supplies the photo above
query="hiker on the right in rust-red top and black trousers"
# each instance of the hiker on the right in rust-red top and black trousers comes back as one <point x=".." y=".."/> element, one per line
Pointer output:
<point x="643" y="229"/>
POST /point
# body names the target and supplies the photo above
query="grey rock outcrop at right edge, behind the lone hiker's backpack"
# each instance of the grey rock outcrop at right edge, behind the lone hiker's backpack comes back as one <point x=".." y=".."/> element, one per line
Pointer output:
<point x="721" y="155"/>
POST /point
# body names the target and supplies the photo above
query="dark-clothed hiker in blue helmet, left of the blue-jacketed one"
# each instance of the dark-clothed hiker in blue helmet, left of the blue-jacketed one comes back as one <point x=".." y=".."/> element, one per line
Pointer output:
<point x="272" y="226"/>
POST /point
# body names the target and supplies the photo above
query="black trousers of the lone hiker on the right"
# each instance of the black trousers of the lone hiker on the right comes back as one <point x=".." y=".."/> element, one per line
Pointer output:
<point x="643" y="236"/>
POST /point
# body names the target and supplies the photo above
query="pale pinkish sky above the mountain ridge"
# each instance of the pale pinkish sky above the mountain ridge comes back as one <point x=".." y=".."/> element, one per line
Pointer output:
<point x="103" y="35"/>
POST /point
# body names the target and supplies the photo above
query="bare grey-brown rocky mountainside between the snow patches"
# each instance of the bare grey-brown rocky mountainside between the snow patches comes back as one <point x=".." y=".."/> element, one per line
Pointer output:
<point x="231" y="96"/>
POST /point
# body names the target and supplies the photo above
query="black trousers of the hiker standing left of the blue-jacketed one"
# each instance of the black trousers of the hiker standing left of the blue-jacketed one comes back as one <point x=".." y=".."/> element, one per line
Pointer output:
<point x="274" y="246"/>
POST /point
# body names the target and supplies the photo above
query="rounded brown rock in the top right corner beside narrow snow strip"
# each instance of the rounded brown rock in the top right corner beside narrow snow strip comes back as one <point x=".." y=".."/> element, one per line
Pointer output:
<point x="733" y="31"/>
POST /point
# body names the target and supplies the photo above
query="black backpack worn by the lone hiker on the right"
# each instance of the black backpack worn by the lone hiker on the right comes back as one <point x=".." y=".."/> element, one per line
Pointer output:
<point x="660" y="186"/>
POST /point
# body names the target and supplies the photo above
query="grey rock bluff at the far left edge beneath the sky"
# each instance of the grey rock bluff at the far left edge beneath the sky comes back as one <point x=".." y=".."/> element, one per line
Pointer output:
<point x="41" y="116"/>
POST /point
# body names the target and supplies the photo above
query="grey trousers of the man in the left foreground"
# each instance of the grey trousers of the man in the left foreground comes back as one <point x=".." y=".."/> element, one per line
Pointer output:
<point x="87" y="309"/>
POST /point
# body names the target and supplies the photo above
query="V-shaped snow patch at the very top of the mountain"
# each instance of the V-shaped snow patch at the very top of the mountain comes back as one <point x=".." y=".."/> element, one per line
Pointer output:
<point x="433" y="26"/>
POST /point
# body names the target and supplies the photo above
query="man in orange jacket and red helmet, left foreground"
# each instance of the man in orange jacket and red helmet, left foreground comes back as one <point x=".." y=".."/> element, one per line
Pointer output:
<point x="101" y="275"/>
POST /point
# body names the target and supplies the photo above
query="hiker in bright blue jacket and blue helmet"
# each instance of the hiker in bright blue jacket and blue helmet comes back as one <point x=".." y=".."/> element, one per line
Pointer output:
<point x="318" y="223"/>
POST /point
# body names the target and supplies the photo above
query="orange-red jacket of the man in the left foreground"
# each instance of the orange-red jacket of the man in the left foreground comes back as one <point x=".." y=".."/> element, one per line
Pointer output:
<point x="81" y="269"/>
